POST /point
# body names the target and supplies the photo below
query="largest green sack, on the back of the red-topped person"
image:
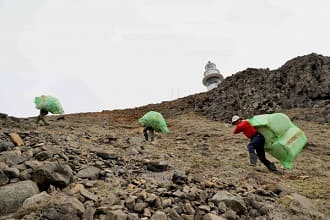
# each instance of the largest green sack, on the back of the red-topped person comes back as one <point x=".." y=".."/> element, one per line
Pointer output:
<point x="283" y="139"/>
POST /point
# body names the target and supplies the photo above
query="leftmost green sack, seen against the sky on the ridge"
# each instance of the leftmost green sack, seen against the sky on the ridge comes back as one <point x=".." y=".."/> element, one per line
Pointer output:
<point x="49" y="103"/>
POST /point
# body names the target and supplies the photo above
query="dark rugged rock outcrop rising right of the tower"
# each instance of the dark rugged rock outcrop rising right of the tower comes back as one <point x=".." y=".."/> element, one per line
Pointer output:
<point x="301" y="82"/>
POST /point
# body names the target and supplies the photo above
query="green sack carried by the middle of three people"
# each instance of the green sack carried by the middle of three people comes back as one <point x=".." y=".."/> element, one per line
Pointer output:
<point x="154" y="120"/>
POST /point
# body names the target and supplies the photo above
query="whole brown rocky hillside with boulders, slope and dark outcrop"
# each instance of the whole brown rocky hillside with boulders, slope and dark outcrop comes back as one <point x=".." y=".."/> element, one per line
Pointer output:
<point x="97" y="165"/>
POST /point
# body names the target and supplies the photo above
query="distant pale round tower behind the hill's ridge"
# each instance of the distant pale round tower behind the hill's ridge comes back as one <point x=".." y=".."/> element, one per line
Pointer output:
<point x="212" y="77"/>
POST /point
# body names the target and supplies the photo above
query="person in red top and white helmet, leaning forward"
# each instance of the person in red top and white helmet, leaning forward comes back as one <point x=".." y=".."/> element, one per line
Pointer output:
<point x="257" y="142"/>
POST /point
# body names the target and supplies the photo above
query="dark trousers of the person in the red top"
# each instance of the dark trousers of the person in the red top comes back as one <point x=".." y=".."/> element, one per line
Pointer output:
<point x="257" y="145"/>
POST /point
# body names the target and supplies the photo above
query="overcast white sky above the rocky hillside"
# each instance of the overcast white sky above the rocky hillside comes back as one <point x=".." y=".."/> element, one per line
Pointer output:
<point x="112" y="54"/>
